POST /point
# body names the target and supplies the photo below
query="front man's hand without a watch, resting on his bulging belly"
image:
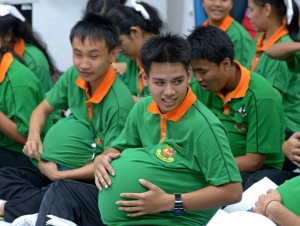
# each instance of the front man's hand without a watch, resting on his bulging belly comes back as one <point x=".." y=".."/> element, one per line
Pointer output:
<point x="102" y="167"/>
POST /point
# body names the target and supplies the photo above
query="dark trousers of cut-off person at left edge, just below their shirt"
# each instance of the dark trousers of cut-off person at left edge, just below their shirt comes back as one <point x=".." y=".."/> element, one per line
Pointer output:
<point x="14" y="159"/>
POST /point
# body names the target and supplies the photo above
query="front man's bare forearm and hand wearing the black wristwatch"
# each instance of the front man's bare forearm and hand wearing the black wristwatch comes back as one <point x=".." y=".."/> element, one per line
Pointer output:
<point x="155" y="200"/>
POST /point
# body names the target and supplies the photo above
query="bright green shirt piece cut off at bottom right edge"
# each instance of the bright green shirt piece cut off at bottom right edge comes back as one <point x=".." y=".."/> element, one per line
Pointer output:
<point x="290" y="194"/>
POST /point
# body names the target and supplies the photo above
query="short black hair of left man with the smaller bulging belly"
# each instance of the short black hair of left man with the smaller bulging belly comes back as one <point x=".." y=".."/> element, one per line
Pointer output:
<point x="96" y="27"/>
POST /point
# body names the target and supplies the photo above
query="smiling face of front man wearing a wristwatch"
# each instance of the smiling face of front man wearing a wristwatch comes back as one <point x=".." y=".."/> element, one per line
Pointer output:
<point x="168" y="84"/>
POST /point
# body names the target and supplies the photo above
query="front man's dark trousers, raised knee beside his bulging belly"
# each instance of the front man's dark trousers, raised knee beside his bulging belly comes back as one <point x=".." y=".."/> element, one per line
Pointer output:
<point x="72" y="200"/>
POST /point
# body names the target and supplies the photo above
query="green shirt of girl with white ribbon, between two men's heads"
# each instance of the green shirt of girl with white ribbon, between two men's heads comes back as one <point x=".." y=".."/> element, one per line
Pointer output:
<point x="130" y="78"/>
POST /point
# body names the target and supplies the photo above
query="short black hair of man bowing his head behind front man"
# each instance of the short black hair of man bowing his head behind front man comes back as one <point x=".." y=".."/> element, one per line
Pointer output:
<point x="210" y="43"/>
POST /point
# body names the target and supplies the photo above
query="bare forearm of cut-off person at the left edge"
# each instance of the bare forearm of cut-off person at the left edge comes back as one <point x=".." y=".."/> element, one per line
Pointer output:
<point x="9" y="128"/>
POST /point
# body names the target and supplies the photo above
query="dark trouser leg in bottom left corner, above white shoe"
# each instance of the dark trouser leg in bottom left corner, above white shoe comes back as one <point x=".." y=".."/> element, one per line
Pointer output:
<point x="24" y="188"/>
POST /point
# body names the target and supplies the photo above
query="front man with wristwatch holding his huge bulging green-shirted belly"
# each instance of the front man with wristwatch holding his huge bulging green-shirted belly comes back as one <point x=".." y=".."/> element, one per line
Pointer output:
<point x="171" y="144"/>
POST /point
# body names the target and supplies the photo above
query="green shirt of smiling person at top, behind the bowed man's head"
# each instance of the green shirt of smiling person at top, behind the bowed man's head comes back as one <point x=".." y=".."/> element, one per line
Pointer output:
<point x="242" y="42"/>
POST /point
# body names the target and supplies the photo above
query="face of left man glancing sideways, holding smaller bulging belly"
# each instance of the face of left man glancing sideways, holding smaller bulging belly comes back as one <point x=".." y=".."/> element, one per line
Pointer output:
<point x="92" y="59"/>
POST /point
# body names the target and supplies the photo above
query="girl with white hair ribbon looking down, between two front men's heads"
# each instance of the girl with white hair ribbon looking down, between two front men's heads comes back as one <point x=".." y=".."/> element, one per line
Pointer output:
<point x="136" y="24"/>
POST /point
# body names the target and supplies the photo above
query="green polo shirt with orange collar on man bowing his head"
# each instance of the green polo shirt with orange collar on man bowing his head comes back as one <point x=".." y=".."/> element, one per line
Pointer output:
<point x="254" y="118"/>
